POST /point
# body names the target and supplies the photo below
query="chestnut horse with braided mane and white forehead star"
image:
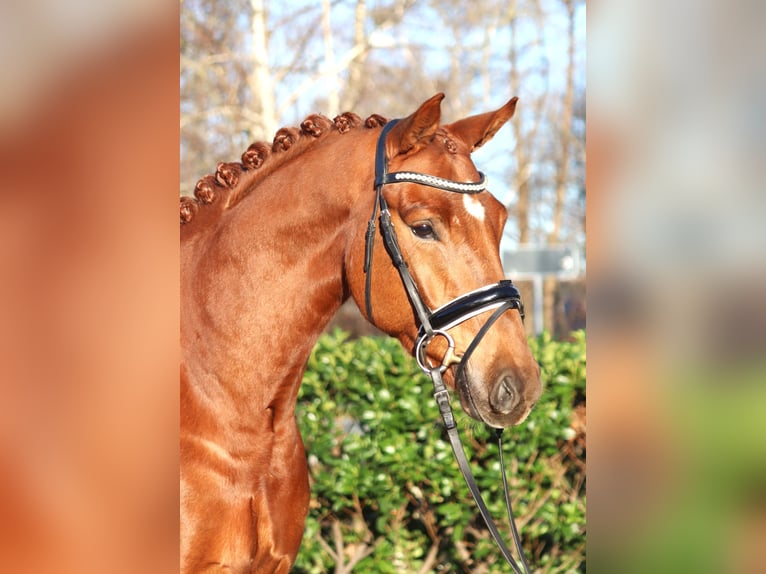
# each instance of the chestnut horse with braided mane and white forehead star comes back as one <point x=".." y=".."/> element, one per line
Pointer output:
<point x="270" y="249"/>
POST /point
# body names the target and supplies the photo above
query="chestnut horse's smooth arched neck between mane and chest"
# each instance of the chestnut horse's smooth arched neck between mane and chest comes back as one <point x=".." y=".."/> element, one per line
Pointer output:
<point x="260" y="286"/>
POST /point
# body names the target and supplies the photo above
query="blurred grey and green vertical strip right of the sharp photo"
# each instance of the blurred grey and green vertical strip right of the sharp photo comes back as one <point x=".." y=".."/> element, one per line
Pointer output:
<point x="677" y="266"/>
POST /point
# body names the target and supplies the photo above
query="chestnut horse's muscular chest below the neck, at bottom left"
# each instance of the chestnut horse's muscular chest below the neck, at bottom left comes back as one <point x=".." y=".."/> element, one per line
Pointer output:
<point x="244" y="513"/>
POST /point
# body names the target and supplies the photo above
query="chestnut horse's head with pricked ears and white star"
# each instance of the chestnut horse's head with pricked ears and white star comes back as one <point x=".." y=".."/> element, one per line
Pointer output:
<point x="450" y="242"/>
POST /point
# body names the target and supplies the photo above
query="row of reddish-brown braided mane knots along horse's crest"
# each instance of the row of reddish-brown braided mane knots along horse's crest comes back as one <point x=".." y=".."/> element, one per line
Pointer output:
<point x="232" y="181"/>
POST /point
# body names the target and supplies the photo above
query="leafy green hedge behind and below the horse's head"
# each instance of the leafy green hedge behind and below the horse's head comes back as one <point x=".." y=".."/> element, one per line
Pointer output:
<point x="387" y="495"/>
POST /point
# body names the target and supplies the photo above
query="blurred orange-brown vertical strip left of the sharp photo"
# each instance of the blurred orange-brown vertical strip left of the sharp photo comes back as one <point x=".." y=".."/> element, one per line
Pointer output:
<point x="88" y="300"/>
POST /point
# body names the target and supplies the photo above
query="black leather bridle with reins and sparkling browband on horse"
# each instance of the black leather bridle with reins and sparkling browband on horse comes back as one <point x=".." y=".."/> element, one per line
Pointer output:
<point x="500" y="297"/>
